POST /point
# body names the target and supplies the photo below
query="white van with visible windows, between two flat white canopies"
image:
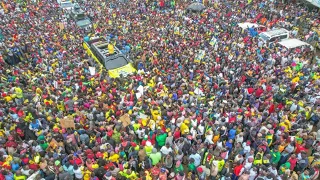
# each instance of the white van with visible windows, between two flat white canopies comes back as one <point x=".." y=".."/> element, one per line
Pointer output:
<point x="272" y="35"/>
